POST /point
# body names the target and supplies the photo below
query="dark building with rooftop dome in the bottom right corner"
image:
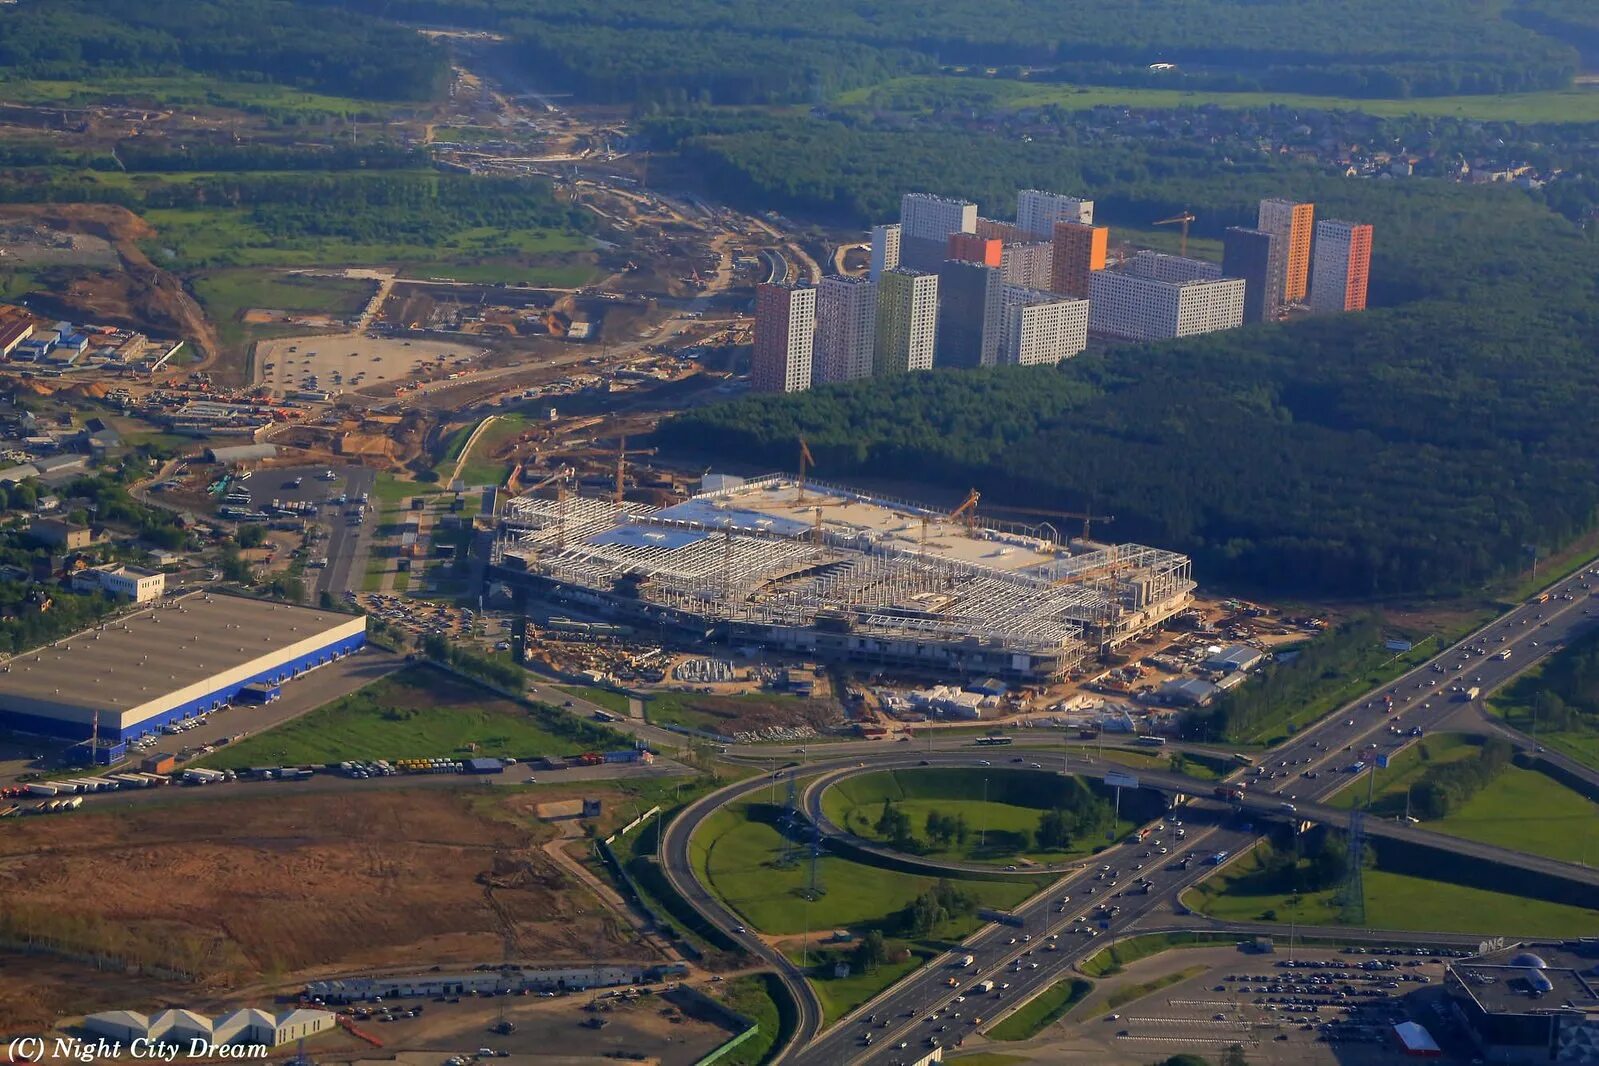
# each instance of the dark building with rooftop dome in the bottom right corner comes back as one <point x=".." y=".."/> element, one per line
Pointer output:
<point x="1534" y="1003"/>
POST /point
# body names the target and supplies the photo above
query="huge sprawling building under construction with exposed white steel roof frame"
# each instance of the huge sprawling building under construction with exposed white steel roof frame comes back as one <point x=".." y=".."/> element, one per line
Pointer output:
<point x="831" y="573"/>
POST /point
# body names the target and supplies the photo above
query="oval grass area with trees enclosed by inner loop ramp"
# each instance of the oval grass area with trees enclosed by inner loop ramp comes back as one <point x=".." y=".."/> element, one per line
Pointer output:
<point x="1002" y="827"/>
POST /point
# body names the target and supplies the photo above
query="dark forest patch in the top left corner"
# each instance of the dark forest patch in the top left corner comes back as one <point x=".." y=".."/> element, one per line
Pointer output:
<point x="244" y="41"/>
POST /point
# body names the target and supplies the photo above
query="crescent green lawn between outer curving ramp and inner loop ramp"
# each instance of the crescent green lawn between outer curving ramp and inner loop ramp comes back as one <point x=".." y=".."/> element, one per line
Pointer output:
<point x="738" y="857"/>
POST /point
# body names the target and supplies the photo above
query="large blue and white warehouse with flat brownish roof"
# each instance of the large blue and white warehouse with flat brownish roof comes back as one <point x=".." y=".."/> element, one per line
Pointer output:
<point x="145" y="670"/>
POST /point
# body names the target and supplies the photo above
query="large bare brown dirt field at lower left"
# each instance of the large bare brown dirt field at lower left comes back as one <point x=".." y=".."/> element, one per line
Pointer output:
<point x="229" y="894"/>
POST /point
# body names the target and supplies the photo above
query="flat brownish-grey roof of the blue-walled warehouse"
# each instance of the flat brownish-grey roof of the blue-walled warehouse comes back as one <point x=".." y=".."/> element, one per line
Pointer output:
<point x="142" y="656"/>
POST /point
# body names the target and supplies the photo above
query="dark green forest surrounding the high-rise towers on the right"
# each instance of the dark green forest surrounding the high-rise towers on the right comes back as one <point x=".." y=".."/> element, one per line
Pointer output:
<point x="1419" y="447"/>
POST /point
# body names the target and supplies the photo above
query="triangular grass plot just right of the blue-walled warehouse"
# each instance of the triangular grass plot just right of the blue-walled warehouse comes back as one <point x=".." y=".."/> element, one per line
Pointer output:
<point x="417" y="714"/>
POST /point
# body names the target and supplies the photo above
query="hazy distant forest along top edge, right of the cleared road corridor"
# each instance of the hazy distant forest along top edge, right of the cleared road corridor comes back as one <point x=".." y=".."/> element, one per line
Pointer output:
<point x="711" y="49"/>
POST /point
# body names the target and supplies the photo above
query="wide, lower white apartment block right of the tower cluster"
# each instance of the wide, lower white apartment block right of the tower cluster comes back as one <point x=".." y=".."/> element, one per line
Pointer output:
<point x="1136" y="308"/>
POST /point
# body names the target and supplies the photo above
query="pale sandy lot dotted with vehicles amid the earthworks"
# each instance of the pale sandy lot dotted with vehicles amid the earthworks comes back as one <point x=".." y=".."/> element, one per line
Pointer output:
<point x="346" y="364"/>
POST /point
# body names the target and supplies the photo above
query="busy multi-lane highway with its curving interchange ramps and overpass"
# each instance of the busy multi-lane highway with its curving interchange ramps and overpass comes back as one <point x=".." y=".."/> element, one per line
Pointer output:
<point x="1304" y="771"/>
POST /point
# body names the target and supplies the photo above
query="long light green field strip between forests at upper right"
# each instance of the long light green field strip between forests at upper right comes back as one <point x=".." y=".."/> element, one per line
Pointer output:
<point x="920" y="93"/>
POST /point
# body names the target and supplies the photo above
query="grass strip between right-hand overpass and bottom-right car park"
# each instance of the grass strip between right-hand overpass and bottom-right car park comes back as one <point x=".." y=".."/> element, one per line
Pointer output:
<point x="1394" y="902"/>
